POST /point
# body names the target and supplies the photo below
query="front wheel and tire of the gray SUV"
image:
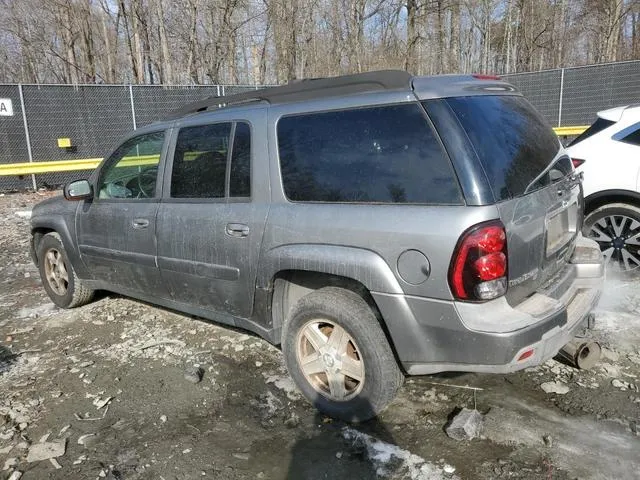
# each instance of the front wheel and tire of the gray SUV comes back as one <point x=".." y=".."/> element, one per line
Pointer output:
<point x="59" y="278"/>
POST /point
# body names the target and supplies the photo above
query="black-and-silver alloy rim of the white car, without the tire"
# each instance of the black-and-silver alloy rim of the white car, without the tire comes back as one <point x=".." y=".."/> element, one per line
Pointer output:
<point x="619" y="239"/>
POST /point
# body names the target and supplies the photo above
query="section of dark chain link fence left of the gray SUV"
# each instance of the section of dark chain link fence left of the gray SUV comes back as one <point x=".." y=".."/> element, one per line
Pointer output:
<point x="93" y="117"/>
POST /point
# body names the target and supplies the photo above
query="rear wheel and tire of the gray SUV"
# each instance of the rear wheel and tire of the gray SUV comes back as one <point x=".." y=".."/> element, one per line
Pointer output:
<point x="364" y="353"/>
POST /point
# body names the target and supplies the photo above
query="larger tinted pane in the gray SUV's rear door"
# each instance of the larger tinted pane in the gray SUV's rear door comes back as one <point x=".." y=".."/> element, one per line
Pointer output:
<point x="200" y="161"/>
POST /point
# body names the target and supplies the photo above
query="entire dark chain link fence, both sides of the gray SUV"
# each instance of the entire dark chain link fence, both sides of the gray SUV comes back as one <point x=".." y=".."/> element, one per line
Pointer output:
<point x="94" y="117"/>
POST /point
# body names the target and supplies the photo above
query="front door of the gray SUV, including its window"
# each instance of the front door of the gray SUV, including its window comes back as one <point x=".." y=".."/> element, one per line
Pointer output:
<point x="116" y="229"/>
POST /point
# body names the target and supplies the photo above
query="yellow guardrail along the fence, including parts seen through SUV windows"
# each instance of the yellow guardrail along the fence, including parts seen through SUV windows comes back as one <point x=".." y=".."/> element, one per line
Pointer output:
<point x="28" y="168"/>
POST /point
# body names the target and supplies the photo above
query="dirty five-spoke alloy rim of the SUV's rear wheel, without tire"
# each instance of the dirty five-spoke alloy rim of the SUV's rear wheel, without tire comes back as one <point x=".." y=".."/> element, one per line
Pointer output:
<point x="330" y="360"/>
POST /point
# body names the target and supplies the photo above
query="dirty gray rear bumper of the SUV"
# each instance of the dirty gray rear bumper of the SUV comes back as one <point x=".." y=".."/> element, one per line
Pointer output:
<point x="435" y="336"/>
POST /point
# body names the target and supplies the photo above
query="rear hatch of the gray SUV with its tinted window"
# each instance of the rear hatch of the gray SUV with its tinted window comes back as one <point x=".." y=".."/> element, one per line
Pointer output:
<point x="533" y="185"/>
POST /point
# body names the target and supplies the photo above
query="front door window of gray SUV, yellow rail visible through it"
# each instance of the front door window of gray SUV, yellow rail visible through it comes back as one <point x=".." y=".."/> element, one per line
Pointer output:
<point x="132" y="170"/>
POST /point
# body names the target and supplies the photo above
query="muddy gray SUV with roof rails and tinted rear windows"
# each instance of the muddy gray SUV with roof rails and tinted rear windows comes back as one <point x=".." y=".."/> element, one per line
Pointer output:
<point x="372" y="225"/>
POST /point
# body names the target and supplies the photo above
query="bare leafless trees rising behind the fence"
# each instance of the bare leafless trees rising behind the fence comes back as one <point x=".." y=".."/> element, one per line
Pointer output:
<point x="274" y="41"/>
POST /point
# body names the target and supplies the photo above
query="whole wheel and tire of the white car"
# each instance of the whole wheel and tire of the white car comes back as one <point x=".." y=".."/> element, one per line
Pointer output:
<point x="616" y="228"/>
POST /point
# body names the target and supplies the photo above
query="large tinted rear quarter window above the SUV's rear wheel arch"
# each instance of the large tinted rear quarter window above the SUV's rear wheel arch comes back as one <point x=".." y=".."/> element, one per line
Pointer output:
<point x="386" y="154"/>
